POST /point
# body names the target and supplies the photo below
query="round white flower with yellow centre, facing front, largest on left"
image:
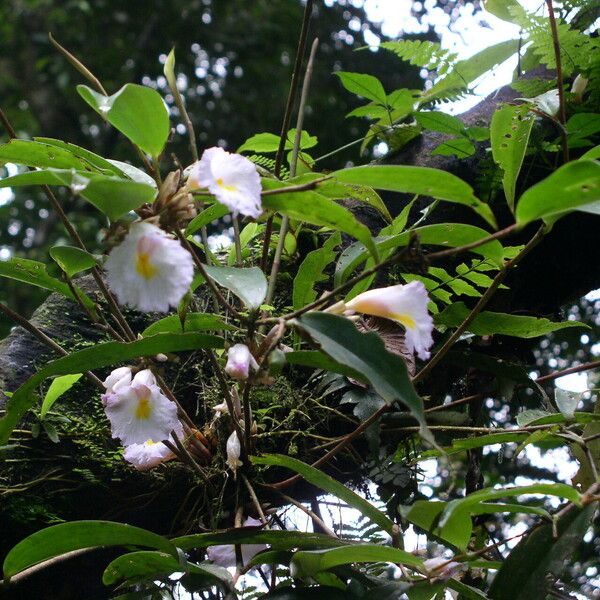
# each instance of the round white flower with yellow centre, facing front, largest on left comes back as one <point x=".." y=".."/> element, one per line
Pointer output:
<point x="149" y="270"/>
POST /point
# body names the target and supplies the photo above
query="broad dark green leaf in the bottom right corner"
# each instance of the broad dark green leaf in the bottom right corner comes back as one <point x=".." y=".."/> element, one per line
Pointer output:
<point x="524" y="573"/>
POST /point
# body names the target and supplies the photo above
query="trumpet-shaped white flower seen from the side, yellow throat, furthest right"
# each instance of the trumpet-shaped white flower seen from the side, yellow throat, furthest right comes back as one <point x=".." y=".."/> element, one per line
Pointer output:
<point x="405" y="304"/>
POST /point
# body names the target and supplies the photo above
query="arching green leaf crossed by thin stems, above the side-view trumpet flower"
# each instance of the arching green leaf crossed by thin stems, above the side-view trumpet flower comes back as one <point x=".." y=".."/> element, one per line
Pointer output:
<point x="448" y="235"/>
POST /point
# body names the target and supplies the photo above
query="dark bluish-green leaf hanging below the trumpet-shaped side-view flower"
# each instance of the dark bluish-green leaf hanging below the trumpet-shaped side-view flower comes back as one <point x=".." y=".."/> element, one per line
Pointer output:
<point x="365" y="353"/>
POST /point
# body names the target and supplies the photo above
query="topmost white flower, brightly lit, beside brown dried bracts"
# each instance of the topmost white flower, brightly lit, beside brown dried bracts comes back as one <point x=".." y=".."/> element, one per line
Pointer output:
<point x="232" y="178"/>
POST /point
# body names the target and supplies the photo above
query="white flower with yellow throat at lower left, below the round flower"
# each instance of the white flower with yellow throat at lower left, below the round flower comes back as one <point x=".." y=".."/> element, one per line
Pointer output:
<point x="140" y="412"/>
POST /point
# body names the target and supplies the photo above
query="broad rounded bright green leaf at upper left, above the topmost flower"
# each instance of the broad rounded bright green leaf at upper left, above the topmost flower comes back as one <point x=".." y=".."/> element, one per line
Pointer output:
<point x="138" y="112"/>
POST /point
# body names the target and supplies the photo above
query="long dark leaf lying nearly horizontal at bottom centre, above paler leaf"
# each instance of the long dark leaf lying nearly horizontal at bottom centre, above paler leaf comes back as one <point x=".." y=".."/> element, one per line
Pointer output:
<point x="277" y="539"/>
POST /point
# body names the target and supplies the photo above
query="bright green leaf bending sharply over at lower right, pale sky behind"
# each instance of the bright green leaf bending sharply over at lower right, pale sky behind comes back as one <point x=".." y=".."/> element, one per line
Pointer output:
<point x="454" y="522"/>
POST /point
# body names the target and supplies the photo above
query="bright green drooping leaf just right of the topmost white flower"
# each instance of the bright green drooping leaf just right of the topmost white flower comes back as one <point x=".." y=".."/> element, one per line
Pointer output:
<point x="316" y="209"/>
